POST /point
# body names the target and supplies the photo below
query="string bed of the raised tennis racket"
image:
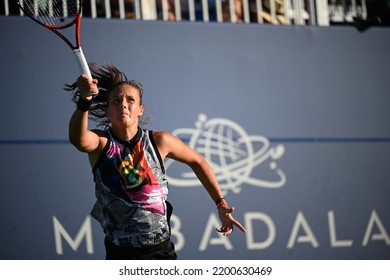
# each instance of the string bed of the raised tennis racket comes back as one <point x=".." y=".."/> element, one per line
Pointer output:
<point x="52" y="12"/>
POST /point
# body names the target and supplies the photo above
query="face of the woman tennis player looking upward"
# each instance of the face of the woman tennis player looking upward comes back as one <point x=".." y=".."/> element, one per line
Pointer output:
<point x="124" y="106"/>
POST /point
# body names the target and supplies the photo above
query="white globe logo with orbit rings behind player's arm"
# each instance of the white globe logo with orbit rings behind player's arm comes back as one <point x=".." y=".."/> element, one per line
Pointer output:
<point x="232" y="153"/>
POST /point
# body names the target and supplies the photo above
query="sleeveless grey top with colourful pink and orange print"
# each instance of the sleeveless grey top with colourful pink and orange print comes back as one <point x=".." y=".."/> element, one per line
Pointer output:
<point x="131" y="190"/>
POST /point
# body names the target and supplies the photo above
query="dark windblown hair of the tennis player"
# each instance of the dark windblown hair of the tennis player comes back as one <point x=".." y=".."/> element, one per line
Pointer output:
<point x="108" y="77"/>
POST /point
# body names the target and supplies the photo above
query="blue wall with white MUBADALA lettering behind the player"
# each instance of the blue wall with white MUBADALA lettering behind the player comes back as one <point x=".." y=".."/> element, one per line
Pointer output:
<point x="302" y="113"/>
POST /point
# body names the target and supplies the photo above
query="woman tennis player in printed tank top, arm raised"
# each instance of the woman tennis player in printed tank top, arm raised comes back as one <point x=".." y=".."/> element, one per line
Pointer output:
<point x="127" y="162"/>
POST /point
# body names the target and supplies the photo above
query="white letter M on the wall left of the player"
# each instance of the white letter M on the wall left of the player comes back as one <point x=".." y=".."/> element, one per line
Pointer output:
<point x="84" y="232"/>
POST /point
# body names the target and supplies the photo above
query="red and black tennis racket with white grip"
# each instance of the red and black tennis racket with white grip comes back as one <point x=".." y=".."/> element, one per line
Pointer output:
<point x="58" y="15"/>
